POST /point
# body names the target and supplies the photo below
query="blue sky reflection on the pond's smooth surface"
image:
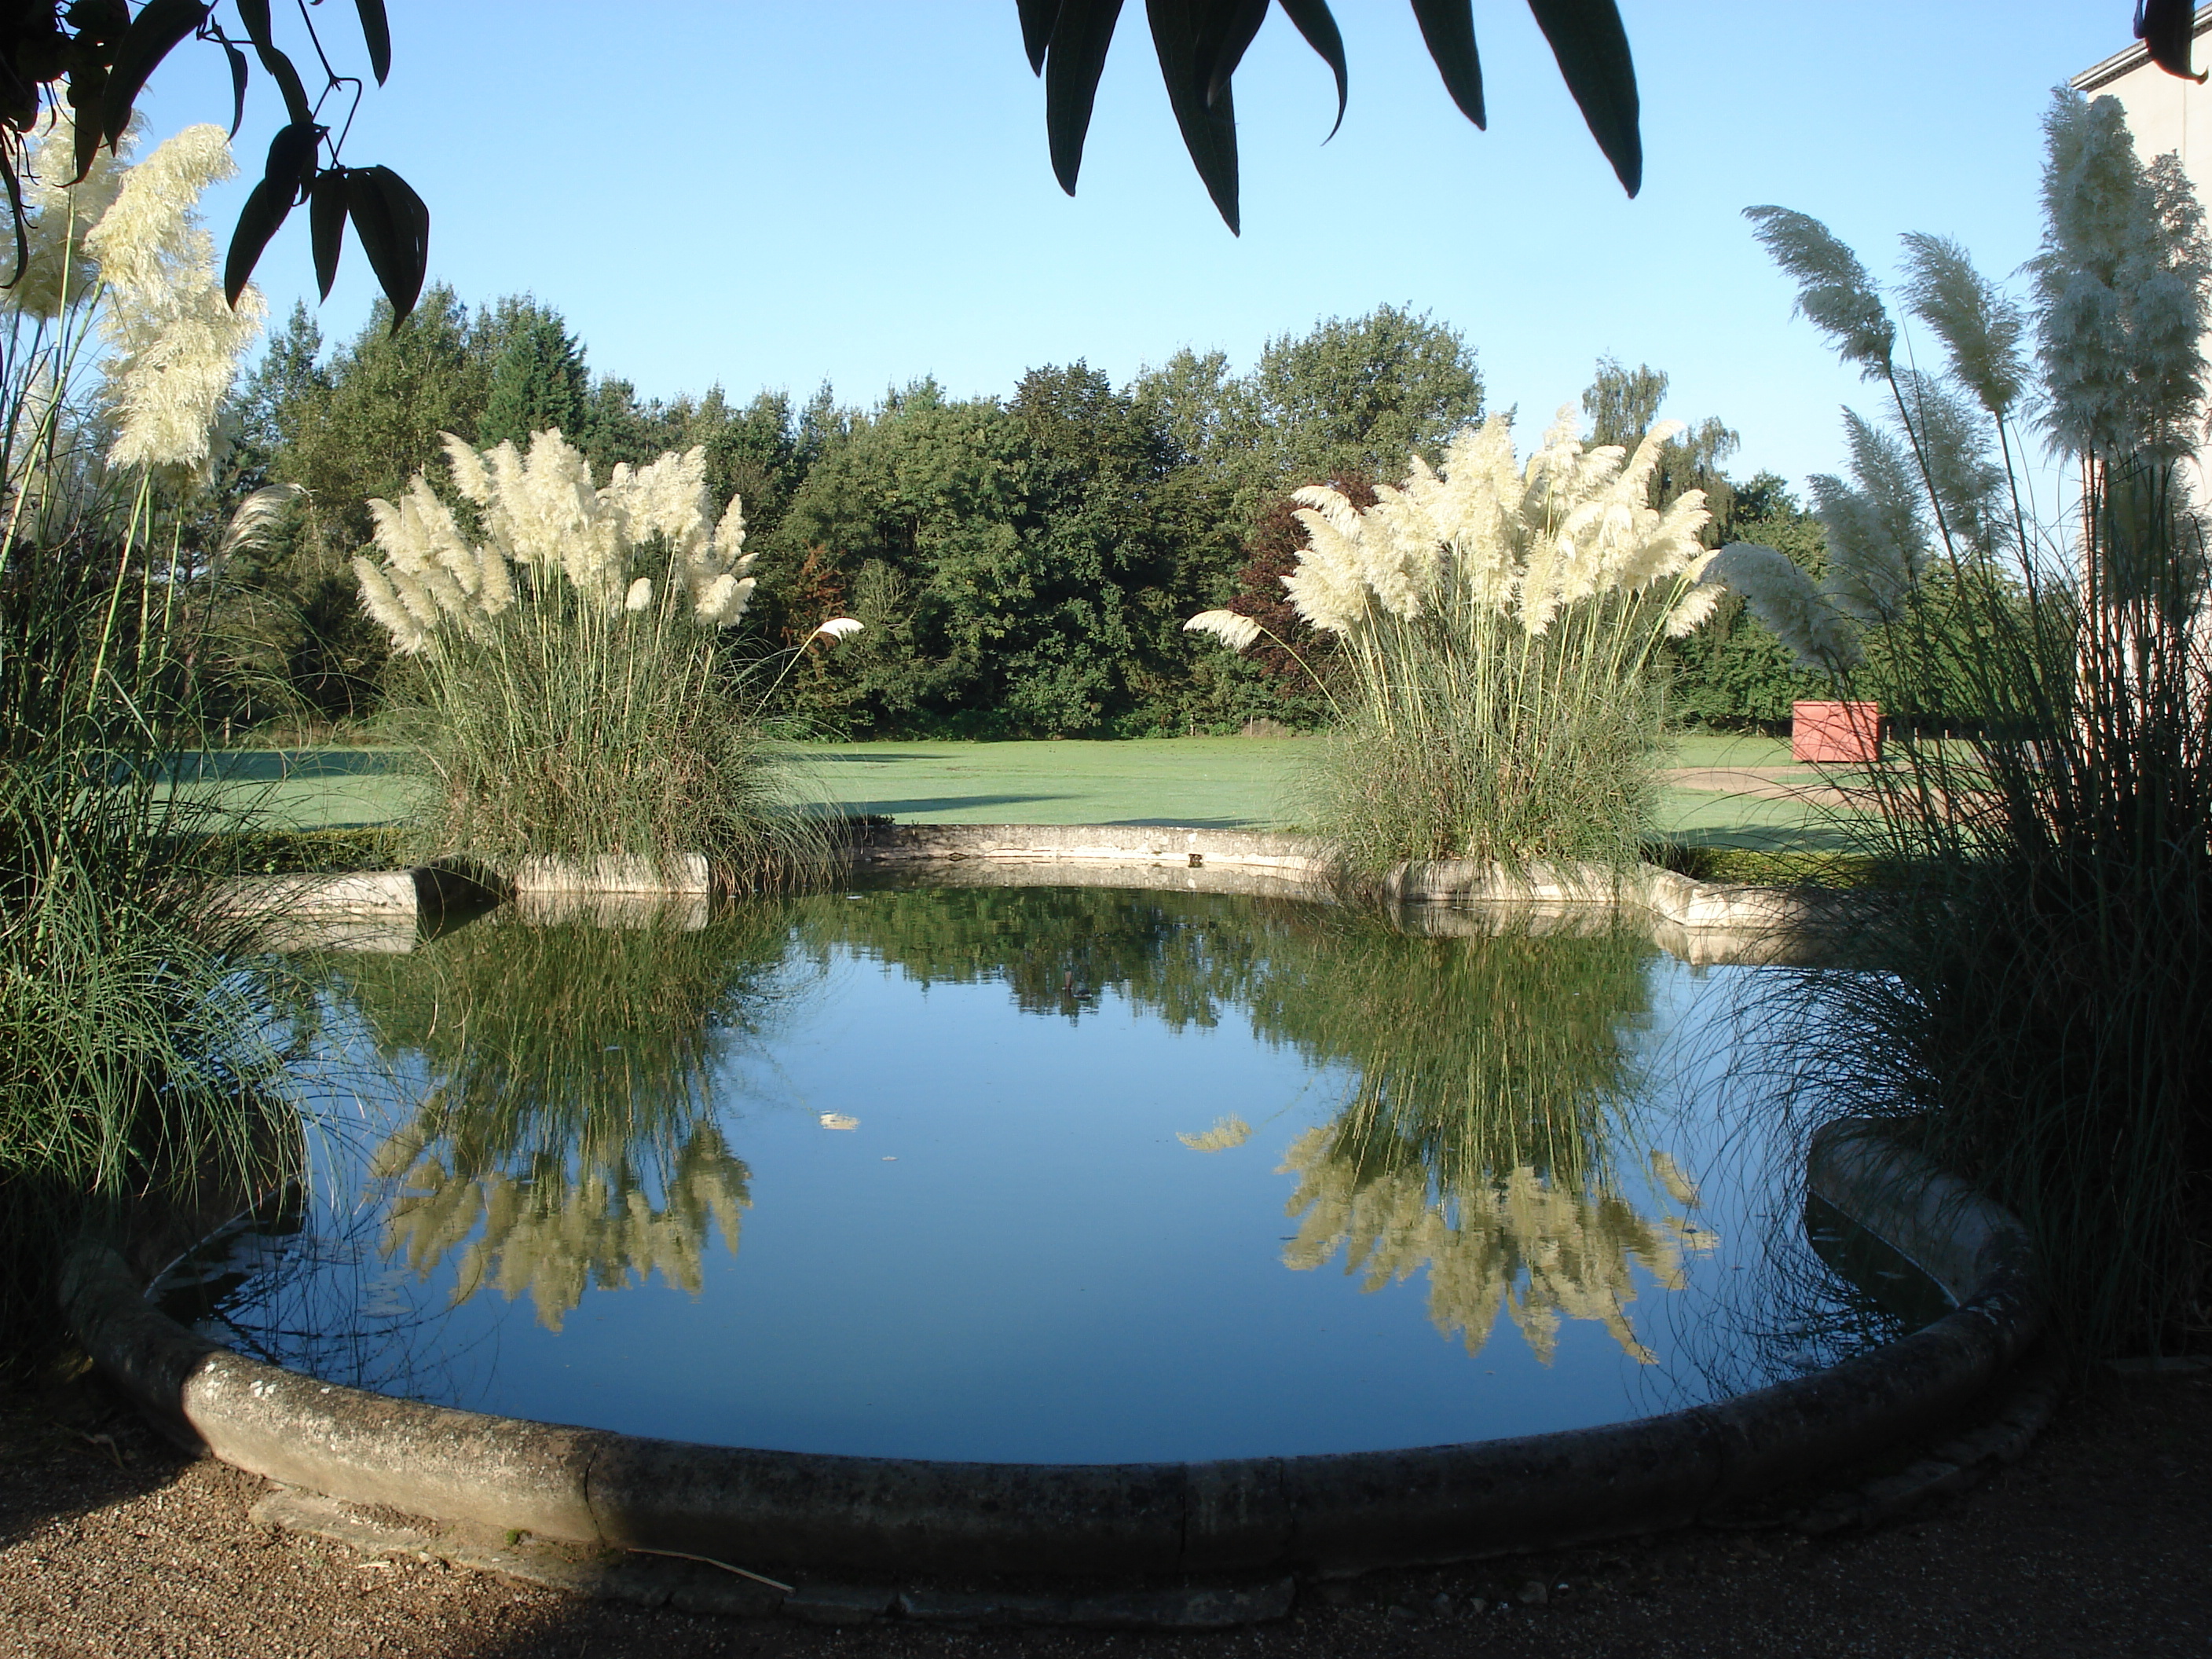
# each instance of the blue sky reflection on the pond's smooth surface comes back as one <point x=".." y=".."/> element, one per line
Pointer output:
<point x="1014" y="1258"/>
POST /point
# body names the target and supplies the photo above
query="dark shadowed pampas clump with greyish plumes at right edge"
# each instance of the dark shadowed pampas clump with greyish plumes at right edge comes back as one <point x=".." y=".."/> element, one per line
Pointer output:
<point x="2054" y="851"/>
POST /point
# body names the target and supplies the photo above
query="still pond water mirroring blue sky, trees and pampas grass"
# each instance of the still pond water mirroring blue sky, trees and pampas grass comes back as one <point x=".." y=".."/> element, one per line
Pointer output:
<point x="1039" y="1176"/>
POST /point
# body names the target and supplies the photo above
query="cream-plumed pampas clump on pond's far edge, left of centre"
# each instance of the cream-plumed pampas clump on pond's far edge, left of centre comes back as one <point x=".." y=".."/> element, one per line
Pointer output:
<point x="567" y="667"/>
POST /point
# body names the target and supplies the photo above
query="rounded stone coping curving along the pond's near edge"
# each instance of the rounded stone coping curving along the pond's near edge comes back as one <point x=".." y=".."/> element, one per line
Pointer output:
<point x="915" y="1516"/>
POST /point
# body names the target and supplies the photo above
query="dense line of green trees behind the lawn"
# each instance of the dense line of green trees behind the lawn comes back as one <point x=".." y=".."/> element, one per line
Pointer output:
<point x="1023" y="563"/>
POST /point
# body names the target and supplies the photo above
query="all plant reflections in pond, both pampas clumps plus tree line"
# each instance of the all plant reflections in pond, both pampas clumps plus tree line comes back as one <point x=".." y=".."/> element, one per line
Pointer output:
<point x="570" y="1136"/>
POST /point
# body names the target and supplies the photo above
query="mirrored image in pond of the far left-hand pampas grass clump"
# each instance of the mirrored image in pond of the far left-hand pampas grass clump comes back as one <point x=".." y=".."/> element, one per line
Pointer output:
<point x="570" y="1136"/>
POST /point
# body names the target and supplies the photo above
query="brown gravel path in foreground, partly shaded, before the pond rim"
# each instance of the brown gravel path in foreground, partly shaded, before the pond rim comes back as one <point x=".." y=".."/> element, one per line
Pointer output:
<point x="2100" y="1543"/>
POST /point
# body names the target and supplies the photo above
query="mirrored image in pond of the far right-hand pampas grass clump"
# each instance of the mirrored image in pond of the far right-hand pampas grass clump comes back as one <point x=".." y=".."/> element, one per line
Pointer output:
<point x="1479" y="1142"/>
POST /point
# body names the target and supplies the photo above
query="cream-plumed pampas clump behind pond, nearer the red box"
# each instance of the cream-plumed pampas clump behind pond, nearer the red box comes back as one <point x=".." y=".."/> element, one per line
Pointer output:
<point x="1496" y="629"/>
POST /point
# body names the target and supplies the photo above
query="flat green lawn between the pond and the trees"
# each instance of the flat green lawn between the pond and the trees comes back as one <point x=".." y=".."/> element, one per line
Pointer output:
<point x="1204" y="782"/>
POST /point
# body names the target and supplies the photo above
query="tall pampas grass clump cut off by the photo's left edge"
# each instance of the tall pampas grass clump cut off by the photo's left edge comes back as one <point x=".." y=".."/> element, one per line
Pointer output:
<point x="132" y="1063"/>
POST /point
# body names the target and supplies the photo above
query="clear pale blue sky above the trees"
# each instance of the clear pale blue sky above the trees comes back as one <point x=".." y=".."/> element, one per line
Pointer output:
<point x="766" y="196"/>
